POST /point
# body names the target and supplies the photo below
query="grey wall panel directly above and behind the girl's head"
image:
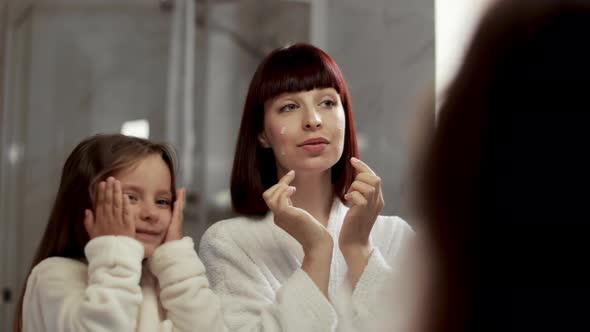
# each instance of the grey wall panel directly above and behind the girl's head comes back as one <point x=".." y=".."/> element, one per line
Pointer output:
<point x="89" y="72"/>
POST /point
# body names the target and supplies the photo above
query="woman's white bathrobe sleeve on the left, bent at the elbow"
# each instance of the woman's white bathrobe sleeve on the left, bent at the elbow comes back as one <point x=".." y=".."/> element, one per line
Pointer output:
<point x="249" y="301"/>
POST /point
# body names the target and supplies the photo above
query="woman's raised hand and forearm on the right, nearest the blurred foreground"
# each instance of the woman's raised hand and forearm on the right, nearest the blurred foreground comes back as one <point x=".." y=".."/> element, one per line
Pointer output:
<point x="367" y="202"/>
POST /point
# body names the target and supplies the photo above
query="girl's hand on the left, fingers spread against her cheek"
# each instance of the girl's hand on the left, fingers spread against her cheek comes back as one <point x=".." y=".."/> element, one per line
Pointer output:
<point x="112" y="215"/>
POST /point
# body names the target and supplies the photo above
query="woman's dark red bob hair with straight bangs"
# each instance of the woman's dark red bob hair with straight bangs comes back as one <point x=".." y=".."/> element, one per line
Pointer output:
<point x="299" y="67"/>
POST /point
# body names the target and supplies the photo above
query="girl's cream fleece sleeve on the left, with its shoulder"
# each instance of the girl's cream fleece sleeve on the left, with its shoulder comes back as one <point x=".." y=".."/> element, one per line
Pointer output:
<point x="64" y="295"/>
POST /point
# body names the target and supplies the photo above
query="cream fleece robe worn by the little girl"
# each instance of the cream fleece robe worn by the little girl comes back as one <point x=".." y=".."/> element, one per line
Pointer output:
<point x="116" y="292"/>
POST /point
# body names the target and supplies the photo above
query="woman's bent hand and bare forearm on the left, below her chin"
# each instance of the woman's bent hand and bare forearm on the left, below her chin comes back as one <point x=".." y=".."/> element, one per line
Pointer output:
<point x="298" y="223"/>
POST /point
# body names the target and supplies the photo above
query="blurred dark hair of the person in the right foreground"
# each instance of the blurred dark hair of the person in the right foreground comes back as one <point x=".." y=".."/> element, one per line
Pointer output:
<point x="503" y="177"/>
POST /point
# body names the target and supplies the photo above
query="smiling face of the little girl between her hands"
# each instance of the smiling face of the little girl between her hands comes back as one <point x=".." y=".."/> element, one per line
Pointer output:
<point x="147" y="184"/>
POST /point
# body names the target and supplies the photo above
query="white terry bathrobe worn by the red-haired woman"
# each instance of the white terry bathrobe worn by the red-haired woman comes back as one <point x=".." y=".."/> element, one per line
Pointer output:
<point x="255" y="267"/>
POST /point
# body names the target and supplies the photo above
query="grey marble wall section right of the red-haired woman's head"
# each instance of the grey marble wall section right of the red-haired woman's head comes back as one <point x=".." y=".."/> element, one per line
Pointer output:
<point x="386" y="50"/>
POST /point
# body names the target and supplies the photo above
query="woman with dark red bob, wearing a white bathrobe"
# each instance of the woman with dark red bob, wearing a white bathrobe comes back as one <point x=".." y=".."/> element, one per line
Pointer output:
<point x="309" y="227"/>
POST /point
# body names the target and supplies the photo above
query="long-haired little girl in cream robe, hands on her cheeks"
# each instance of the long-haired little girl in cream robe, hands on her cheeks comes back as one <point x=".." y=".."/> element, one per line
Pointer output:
<point x="113" y="257"/>
